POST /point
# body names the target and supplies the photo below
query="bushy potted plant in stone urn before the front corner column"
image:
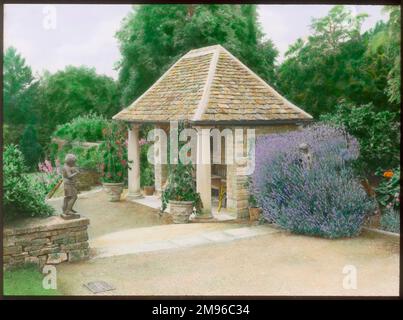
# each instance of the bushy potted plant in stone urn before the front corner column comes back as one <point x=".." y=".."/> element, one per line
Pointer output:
<point x="181" y="193"/>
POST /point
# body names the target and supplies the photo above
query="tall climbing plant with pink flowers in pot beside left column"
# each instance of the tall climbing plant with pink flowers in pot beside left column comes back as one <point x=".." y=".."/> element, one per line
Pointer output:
<point x="114" y="164"/>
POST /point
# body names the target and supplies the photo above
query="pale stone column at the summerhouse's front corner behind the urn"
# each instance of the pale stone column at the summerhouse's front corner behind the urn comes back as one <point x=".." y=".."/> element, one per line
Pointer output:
<point x="203" y="169"/>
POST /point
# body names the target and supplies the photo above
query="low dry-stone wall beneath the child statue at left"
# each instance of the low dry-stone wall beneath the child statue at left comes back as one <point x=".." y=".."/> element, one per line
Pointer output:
<point x="45" y="241"/>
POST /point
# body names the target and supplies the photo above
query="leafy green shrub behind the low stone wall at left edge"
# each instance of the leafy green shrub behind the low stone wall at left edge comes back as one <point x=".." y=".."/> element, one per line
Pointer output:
<point x="22" y="196"/>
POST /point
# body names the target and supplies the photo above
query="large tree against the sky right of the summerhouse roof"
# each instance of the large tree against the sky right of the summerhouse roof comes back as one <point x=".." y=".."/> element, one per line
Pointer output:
<point x="333" y="65"/>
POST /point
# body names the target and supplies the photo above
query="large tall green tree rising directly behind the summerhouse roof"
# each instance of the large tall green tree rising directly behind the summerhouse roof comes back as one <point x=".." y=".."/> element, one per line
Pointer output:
<point x="153" y="37"/>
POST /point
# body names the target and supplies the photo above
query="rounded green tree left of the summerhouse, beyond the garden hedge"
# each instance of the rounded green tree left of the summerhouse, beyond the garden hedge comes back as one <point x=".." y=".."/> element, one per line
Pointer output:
<point x="72" y="92"/>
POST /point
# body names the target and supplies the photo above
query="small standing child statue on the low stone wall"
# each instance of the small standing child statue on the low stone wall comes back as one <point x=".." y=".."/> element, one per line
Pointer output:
<point x="69" y="173"/>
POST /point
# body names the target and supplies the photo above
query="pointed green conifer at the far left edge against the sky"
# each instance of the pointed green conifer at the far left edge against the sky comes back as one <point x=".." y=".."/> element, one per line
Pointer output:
<point x="19" y="89"/>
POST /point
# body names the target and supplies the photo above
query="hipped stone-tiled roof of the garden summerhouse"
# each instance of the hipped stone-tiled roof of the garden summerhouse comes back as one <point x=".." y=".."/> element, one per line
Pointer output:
<point x="211" y="85"/>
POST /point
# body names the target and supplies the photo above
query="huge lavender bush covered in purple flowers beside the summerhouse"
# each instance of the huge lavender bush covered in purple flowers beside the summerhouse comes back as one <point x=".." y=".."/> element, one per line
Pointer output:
<point x="320" y="196"/>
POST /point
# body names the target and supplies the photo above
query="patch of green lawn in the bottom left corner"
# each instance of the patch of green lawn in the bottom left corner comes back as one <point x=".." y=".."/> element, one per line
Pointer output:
<point x="26" y="281"/>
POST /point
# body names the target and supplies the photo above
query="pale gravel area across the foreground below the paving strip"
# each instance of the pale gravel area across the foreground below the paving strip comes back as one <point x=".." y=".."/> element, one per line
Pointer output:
<point x="276" y="263"/>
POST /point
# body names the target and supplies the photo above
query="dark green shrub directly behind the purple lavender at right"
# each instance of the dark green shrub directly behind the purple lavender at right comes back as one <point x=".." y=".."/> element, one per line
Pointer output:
<point x="378" y="134"/>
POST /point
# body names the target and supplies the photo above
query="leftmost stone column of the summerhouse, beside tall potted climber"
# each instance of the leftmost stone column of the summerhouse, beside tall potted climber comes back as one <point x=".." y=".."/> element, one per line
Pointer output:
<point x="133" y="152"/>
